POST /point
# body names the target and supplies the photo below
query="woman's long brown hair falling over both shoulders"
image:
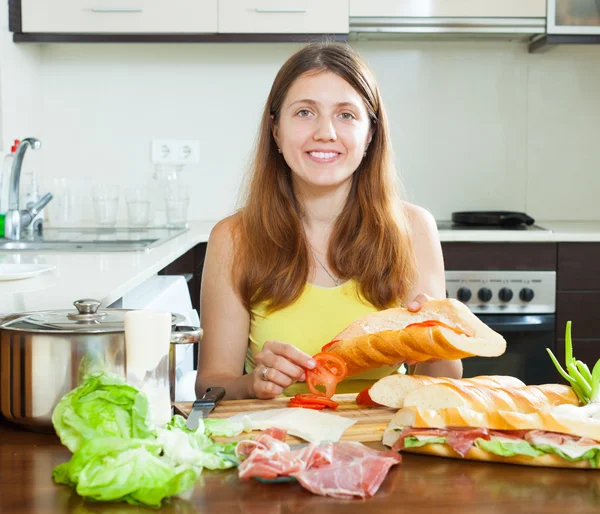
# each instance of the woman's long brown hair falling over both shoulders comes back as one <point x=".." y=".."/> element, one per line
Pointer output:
<point x="370" y="240"/>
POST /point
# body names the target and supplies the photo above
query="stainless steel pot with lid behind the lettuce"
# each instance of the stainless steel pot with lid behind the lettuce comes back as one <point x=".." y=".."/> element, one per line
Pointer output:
<point x="44" y="355"/>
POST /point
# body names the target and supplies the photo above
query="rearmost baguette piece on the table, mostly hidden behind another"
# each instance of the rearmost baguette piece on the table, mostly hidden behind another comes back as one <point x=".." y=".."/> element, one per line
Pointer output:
<point x="391" y="390"/>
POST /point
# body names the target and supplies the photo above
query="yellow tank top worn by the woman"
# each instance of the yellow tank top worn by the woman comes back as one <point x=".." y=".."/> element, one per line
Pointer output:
<point x="314" y="319"/>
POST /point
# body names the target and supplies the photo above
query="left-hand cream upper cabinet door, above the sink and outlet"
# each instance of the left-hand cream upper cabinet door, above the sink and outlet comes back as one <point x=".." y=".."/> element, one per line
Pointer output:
<point x="119" y="16"/>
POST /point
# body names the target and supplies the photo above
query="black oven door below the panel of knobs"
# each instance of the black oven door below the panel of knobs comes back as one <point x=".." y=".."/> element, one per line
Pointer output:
<point x="527" y="337"/>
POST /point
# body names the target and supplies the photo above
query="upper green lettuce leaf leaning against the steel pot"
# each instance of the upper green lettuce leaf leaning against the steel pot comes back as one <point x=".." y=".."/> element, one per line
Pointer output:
<point x="104" y="405"/>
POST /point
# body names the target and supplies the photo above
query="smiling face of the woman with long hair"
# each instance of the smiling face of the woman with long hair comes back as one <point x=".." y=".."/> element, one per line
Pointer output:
<point x="323" y="130"/>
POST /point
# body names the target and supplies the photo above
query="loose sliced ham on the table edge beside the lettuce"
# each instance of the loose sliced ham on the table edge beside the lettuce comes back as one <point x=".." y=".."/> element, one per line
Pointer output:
<point x="341" y="469"/>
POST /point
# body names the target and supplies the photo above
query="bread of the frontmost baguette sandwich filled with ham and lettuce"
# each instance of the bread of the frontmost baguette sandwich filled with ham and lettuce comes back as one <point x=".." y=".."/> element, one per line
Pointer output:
<point x="559" y="422"/>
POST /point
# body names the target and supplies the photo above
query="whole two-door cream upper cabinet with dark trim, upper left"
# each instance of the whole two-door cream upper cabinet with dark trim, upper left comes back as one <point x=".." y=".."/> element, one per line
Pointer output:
<point x="150" y="21"/>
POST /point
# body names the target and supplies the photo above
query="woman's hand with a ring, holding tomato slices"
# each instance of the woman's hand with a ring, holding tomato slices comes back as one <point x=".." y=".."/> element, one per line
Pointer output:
<point x="278" y="366"/>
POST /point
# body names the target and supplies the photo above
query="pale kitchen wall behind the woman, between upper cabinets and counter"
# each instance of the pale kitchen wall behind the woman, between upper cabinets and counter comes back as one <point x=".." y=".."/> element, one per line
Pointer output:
<point x="475" y="125"/>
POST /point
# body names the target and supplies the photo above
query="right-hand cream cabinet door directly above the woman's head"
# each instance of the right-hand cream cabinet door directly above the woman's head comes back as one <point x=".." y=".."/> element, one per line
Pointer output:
<point x="283" y="16"/>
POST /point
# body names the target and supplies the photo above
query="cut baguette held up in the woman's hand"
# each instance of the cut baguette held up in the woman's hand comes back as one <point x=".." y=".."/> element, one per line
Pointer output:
<point x="442" y="329"/>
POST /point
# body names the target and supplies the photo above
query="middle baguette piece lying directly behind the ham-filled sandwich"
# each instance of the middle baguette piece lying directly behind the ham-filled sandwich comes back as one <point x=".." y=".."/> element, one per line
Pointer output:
<point x="526" y="399"/>
